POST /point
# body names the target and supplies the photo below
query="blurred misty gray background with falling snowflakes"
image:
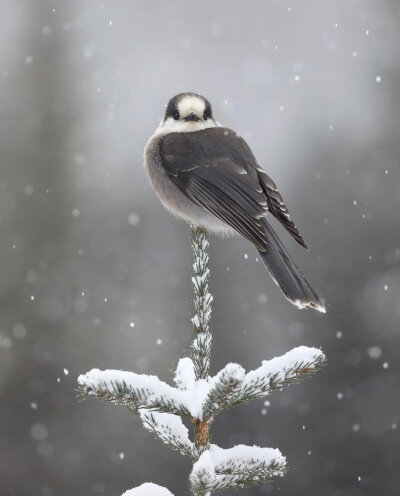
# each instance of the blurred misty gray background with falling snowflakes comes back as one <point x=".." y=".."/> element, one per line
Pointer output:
<point x="86" y="248"/>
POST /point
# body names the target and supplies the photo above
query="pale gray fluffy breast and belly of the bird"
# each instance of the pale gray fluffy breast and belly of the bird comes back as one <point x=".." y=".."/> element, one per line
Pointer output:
<point x="172" y="198"/>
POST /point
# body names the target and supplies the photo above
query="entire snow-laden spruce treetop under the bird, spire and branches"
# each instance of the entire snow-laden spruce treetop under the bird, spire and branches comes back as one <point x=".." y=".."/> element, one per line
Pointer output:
<point x="199" y="397"/>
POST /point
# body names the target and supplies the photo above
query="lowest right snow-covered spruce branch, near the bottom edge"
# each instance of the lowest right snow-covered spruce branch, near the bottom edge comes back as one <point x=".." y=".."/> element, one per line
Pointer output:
<point x="218" y="469"/>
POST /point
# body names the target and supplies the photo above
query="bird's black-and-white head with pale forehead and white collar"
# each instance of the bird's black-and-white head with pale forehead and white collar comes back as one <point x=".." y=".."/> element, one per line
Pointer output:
<point x="187" y="112"/>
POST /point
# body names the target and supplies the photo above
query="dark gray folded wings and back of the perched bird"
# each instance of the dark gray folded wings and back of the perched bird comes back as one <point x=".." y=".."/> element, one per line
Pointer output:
<point x="217" y="170"/>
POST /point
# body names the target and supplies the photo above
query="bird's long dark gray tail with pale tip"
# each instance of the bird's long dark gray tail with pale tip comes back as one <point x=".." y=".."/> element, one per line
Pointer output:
<point x="287" y="275"/>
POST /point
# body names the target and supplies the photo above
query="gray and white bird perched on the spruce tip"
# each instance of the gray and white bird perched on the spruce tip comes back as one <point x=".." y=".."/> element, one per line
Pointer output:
<point x="206" y="174"/>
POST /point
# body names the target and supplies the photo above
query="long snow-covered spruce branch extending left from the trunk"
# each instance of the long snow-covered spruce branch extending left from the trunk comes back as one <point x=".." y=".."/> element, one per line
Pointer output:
<point x="134" y="391"/>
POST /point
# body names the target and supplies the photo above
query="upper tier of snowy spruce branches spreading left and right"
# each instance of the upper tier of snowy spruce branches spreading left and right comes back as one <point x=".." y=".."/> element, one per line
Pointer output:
<point x="204" y="398"/>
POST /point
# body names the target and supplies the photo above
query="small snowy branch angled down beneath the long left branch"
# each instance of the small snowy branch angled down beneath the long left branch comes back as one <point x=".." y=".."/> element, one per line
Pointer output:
<point x="169" y="429"/>
